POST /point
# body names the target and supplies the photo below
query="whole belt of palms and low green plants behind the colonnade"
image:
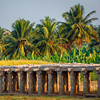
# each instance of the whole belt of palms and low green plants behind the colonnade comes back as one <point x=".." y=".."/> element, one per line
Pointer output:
<point x="75" y="40"/>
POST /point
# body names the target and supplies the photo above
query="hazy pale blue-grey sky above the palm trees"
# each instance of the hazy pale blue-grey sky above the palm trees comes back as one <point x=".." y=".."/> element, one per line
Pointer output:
<point x="35" y="10"/>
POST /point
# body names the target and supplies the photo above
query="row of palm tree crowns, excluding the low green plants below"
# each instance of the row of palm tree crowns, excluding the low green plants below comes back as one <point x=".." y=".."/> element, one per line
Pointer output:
<point x="49" y="37"/>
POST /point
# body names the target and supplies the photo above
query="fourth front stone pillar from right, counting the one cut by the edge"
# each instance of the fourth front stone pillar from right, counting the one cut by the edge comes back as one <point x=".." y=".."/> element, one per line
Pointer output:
<point x="61" y="83"/>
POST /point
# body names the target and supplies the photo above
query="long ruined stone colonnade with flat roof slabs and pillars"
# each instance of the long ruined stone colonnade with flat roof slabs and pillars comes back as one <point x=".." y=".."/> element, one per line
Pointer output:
<point x="49" y="79"/>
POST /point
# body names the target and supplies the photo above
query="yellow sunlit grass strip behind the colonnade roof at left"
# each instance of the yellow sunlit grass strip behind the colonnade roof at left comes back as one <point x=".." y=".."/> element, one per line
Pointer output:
<point x="20" y="62"/>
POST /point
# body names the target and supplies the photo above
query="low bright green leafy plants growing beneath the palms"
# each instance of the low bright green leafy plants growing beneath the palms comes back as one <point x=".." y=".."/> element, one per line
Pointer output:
<point x="85" y="56"/>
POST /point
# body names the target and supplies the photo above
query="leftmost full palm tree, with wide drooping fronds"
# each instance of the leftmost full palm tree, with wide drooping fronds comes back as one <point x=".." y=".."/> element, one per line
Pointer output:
<point x="18" y="43"/>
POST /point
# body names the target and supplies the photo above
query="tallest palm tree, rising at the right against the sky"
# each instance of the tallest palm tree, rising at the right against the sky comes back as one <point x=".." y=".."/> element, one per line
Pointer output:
<point x="77" y="28"/>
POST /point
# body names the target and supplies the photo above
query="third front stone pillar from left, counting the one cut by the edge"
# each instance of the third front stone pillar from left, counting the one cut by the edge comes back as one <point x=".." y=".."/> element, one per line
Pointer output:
<point x="22" y="81"/>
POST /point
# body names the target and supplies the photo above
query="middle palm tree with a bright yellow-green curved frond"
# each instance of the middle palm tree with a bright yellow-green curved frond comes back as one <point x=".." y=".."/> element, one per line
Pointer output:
<point x="46" y="39"/>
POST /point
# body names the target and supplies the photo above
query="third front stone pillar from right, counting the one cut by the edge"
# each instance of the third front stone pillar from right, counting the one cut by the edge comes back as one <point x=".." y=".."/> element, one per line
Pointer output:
<point x="73" y="83"/>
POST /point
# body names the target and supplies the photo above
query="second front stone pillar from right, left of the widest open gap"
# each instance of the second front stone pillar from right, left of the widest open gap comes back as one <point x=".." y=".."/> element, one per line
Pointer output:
<point x="86" y="82"/>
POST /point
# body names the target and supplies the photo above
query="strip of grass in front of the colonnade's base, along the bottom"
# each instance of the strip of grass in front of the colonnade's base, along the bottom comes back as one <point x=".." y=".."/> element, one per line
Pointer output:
<point x="44" y="98"/>
